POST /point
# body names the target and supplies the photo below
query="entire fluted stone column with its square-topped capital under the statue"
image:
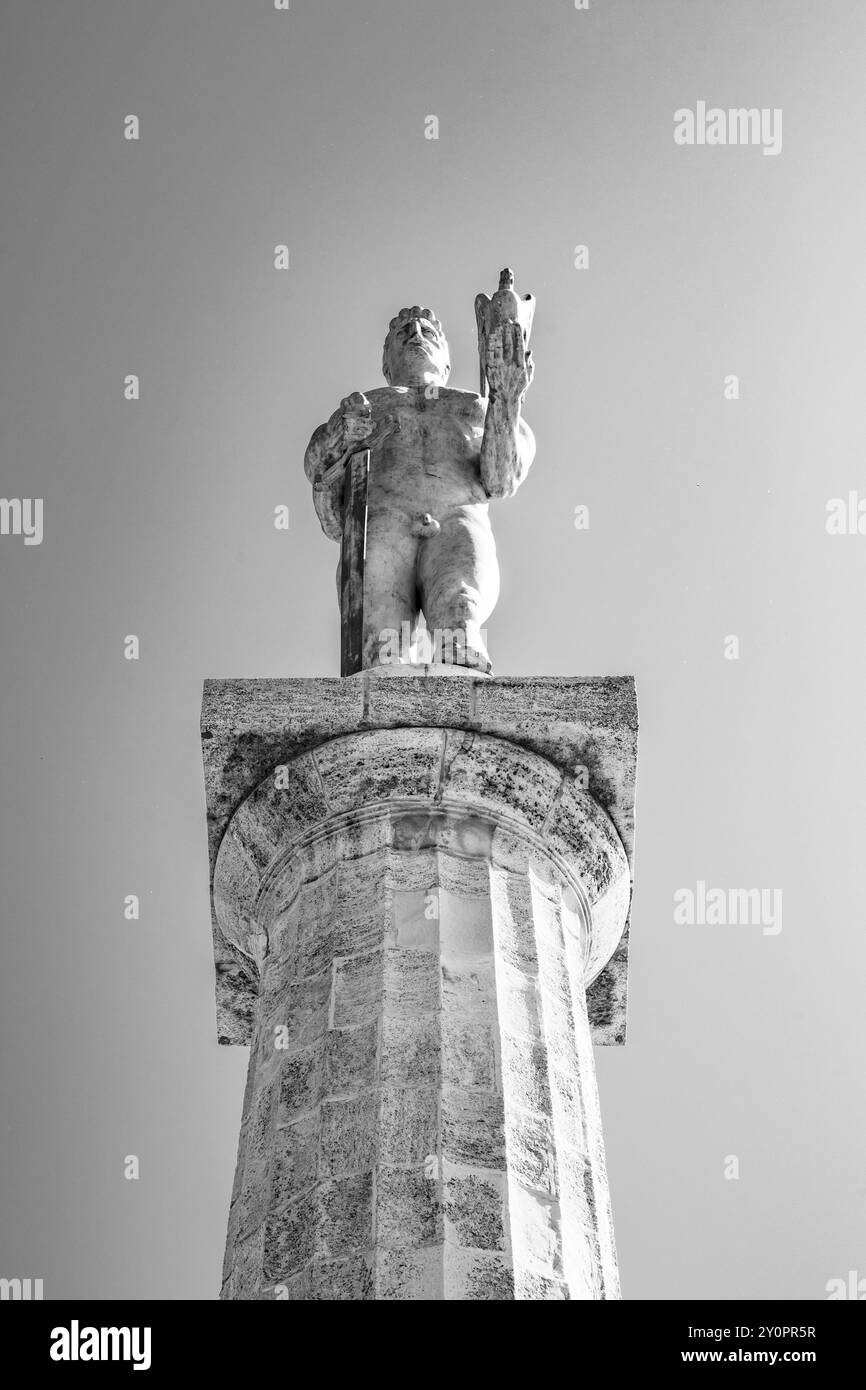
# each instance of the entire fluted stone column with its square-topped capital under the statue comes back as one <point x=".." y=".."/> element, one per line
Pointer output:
<point x="412" y="915"/>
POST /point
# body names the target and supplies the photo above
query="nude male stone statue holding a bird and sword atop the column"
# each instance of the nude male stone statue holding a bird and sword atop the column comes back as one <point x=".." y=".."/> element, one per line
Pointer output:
<point x="404" y="475"/>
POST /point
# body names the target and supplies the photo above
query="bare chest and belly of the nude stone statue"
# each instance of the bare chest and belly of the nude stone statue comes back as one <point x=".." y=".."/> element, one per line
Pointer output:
<point x="430" y="461"/>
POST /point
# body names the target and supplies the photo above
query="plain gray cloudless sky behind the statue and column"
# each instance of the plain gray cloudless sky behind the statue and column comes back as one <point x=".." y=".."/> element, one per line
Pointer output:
<point x="707" y="521"/>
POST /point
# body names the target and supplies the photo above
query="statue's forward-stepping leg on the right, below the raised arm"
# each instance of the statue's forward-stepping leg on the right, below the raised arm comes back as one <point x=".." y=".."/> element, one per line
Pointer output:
<point x="459" y="586"/>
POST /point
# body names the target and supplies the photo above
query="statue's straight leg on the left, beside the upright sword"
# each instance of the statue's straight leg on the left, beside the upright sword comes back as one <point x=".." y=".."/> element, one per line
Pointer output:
<point x="391" y="594"/>
